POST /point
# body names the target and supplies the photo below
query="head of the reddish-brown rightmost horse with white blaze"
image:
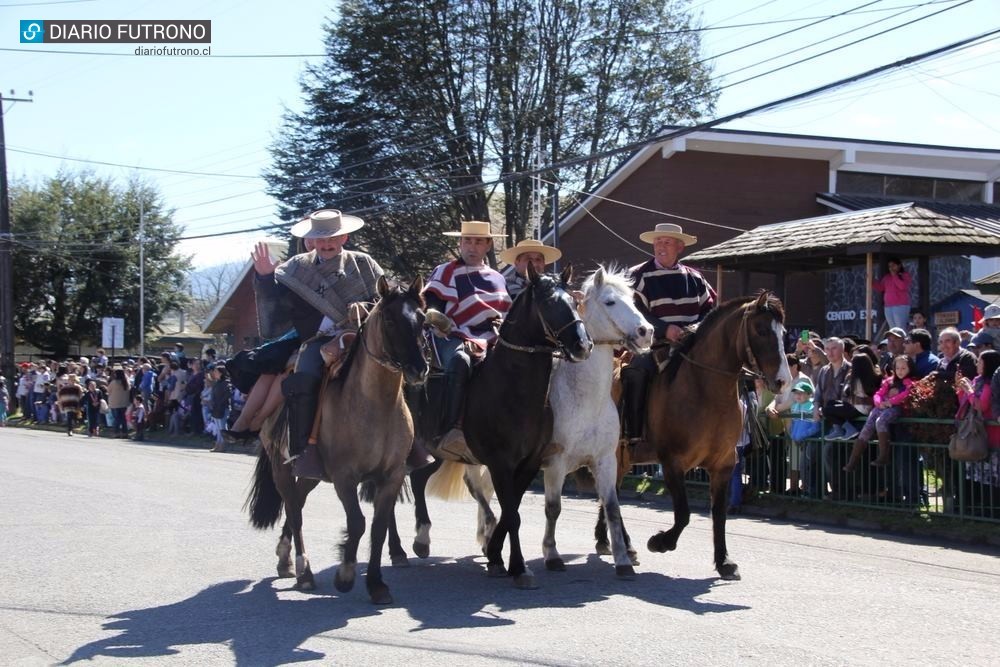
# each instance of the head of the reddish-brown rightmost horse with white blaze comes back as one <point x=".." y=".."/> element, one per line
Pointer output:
<point x="764" y="342"/>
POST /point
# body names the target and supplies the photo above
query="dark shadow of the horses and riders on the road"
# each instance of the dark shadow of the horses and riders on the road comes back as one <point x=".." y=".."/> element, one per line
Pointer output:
<point x="256" y="624"/>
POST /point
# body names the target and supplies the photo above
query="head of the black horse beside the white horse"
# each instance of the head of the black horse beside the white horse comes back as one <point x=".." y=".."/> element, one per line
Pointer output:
<point x="558" y="321"/>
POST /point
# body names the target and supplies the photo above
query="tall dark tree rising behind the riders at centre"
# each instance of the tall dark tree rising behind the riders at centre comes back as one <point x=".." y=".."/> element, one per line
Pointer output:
<point x="441" y="96"/>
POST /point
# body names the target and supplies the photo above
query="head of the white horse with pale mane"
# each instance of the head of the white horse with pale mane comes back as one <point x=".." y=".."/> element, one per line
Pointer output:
<point x="610" y="314"/>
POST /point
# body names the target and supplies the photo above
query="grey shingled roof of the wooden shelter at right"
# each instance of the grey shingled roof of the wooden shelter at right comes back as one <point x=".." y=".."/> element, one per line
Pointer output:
<point x="906" y="229"/>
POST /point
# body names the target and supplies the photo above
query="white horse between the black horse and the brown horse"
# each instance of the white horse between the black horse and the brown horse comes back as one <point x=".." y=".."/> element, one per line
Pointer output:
<point x="586" y="425"/>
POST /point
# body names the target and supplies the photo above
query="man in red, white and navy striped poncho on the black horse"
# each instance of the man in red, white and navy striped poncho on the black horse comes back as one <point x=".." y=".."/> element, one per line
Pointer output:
<point x="474" y="299"/>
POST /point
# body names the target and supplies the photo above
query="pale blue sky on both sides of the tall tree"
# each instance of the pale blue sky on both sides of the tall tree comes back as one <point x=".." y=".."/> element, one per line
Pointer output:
<point x="218" y="115"/>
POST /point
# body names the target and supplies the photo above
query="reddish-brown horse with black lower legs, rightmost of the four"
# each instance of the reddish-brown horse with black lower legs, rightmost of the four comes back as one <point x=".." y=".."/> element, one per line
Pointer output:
<point x="694" y="416"/>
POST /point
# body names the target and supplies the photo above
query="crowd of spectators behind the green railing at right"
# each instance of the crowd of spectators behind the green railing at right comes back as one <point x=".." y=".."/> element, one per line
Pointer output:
<point x="856" y="391"/>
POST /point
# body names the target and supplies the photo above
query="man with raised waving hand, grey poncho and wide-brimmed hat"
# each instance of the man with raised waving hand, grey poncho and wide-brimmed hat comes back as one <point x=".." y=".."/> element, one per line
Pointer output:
<point x="311" y="292"/>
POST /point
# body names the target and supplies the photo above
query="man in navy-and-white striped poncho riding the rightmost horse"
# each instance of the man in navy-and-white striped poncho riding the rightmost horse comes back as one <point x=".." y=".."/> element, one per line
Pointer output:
<point x="672" y="297"/>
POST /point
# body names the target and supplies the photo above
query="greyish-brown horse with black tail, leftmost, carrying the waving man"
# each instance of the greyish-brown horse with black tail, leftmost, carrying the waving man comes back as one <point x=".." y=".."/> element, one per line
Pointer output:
<point x="366" y="433"/>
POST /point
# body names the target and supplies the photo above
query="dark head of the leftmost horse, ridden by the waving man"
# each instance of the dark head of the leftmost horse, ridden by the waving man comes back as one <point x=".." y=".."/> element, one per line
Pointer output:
<point x="400" y="317"/>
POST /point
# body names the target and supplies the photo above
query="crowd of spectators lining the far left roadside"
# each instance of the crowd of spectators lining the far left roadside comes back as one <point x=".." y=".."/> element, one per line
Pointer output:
<point x="123" y="397"/>
